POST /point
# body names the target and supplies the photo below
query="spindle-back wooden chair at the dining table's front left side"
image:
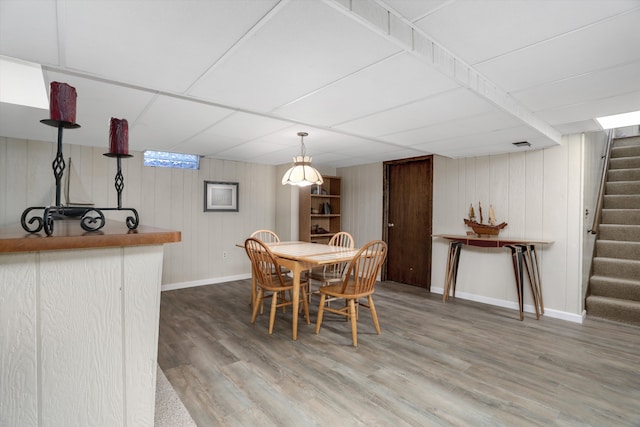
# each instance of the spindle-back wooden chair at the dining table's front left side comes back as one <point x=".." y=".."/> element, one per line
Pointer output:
<point x="270" y="281"/>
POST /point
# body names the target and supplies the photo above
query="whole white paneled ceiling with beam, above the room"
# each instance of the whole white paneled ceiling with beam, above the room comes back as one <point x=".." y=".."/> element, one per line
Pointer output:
<point x="369" y="80"/>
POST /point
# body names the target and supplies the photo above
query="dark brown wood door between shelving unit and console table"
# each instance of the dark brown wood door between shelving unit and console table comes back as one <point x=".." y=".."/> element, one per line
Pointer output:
<point x="408" y="198"/>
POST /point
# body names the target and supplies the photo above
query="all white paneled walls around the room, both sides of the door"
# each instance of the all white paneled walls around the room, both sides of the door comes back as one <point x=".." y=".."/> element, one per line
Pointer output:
<point x="539" y="193"/>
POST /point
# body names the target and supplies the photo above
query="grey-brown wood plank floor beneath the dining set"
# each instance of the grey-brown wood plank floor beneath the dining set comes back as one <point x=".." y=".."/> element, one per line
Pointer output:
<point x="455" y="364"/>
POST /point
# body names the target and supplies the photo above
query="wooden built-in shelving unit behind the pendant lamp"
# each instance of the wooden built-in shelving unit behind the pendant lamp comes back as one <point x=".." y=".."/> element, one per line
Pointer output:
<point x="320" y="210"/>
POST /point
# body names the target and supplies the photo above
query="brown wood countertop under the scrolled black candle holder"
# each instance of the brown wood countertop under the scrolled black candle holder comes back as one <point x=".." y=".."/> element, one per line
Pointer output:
<point x="69" y="235"/>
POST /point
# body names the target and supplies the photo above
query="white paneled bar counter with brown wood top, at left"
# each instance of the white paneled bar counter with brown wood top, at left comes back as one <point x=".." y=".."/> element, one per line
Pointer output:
<point x="79" y="318"/>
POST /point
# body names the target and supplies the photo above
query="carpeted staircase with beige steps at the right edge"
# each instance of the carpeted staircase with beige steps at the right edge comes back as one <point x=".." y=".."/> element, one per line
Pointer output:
<point x="614" y="286"/>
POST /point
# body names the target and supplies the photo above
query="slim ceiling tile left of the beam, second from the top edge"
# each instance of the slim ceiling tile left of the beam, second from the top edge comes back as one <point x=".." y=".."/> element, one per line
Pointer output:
<point x="394" y="81"/>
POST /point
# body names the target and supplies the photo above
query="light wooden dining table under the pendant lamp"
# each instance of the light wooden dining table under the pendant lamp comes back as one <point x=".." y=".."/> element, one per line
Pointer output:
<point x="299" y="257"/>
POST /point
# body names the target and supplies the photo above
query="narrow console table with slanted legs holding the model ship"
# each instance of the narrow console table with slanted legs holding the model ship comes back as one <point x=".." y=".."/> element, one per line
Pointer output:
<point x="523" y="255"/>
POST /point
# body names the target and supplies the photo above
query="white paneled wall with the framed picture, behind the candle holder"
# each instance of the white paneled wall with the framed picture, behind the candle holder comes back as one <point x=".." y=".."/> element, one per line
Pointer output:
<point x="166" y="198"/>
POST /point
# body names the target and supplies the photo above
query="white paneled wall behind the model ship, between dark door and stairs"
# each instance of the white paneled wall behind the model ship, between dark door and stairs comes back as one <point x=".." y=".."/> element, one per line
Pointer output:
<point x="539" y="194"/>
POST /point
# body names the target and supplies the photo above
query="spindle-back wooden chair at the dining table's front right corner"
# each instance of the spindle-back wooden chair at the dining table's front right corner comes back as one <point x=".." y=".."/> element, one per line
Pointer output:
<point x="358" y="282"/>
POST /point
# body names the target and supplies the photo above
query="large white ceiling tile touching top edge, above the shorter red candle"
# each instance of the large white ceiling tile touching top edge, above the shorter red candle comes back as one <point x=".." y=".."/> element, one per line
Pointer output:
<point x="140" y="42"/>
